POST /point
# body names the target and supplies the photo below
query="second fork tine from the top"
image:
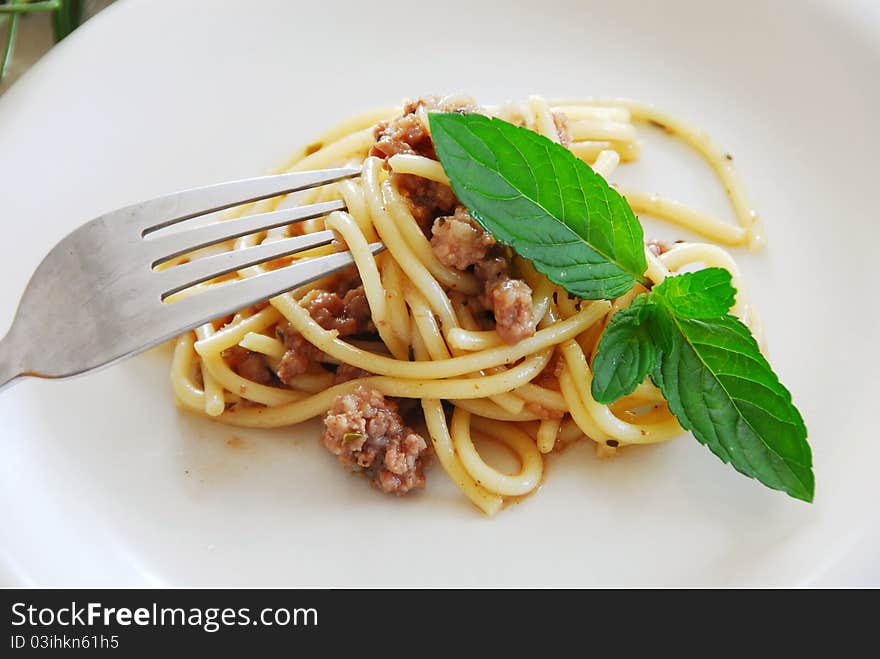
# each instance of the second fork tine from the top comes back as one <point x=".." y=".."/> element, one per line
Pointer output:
<point x="165" y="248"/>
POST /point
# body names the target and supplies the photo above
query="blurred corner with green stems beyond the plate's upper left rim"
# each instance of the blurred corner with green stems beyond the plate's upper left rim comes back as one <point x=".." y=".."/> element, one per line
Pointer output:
<point x="29" y="28"/>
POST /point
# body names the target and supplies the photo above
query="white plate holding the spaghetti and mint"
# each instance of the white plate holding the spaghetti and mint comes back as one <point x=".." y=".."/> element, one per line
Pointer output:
<point x="104" y="482"/>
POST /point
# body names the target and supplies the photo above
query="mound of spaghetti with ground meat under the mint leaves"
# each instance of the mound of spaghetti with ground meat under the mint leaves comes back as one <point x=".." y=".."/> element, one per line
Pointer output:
<point x="493" y="357"/>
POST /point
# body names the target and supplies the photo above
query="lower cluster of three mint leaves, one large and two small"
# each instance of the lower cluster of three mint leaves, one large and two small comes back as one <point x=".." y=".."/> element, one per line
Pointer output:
<point x="712" y="375"/>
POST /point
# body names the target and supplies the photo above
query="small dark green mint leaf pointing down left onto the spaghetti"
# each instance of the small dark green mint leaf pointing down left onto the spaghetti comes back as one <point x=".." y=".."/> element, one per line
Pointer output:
<point x="627" y="352"/>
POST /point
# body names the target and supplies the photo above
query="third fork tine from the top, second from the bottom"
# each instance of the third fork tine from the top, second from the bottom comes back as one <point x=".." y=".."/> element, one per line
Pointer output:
<point x="183" y="276"/>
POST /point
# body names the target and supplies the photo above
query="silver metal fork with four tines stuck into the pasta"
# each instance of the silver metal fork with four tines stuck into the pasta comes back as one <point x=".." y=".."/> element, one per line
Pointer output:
<point x="97" y="297"/>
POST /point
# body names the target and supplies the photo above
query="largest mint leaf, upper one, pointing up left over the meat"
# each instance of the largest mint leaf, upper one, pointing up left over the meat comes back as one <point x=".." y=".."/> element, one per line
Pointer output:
<point x="535" y="196"/>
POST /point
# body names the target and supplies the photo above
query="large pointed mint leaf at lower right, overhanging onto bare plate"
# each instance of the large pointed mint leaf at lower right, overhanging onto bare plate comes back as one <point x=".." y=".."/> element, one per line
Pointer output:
<point x="721" y="388"/>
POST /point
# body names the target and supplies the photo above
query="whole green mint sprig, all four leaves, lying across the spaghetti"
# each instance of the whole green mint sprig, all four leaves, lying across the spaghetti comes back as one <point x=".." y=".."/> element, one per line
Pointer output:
<point x="535" y="196"/>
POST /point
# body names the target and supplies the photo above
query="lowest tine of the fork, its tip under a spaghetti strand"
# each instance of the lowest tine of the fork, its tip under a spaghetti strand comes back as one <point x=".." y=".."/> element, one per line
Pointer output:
<point x="195" y="310"/>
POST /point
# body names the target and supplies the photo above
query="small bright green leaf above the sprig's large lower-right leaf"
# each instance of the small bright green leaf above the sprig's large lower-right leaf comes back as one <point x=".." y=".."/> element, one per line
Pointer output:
<point x="702" y="294"/>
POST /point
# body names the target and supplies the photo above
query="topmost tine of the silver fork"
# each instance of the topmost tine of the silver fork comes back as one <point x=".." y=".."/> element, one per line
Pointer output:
<point x="179" y="206"/>
